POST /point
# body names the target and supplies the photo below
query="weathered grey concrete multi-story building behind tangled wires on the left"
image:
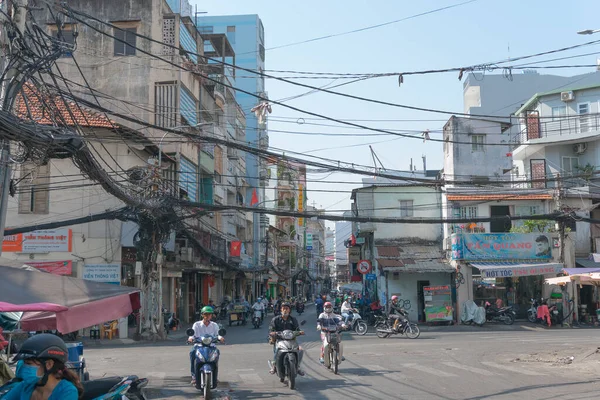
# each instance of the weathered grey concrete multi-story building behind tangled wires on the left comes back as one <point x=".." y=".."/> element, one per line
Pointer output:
<point x="196" y="267"/>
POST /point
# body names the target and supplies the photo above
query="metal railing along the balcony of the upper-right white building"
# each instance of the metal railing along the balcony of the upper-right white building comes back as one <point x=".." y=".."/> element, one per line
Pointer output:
<point x="536" y="128"/>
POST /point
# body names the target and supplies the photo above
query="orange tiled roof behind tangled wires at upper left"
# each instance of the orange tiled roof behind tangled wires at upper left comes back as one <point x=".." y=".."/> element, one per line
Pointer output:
<point x="45" y="109"/>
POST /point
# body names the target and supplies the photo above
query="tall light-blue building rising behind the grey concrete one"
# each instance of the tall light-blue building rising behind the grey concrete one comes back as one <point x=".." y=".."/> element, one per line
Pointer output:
<point x="247" y="36"/>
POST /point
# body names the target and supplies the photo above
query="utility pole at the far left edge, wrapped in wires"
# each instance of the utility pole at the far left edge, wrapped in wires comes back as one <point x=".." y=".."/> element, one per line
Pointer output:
<point x="19" y="8"/>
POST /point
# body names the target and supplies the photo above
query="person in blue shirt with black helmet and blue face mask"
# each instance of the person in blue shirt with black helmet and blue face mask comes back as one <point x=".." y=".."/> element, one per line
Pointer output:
<point x="41" y="366"/>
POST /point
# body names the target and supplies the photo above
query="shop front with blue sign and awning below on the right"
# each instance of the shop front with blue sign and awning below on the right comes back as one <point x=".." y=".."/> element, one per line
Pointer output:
<point x="505" y="268"/>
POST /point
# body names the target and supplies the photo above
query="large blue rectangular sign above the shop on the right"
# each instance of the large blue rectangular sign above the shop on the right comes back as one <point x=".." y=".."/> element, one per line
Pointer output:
<point x="501" y="246"/>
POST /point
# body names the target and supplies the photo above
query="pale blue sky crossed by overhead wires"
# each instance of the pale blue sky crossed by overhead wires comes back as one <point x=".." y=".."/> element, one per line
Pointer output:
<point x="482" y="31"/>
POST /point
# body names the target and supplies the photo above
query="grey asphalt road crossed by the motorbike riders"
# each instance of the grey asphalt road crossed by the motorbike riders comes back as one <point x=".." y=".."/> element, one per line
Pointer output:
<point x="441" y="364"/>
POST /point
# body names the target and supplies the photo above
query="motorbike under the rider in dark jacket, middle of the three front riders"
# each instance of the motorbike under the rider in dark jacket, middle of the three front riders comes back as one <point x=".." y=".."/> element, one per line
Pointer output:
<point x="288" y="357"/>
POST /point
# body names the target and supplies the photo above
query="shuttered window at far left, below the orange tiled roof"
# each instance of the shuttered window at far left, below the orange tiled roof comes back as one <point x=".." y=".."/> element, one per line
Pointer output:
<point x="34" y="196"/>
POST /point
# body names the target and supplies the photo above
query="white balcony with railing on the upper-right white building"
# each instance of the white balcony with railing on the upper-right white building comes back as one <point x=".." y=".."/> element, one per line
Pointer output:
<point x="538" y="131"/>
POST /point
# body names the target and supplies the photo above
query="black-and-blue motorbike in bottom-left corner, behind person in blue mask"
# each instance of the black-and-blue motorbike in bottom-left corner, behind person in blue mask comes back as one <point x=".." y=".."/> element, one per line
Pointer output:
<point x="130" y="387"/>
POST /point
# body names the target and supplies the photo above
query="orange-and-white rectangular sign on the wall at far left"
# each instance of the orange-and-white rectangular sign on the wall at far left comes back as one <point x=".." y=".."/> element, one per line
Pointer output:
<point x="46" y="241"/>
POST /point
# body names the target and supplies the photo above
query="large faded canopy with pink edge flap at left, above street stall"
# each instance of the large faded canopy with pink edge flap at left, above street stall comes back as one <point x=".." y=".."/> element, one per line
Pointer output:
<point x="63" y="303"/>
